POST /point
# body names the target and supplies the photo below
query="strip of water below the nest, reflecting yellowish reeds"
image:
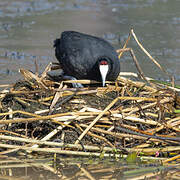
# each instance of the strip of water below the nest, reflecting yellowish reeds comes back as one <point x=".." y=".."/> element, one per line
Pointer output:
<point x="82" y="169"/>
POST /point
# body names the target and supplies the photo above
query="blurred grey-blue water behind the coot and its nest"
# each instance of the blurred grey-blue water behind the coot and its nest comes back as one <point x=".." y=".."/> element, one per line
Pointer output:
<point x="29" y="27"/>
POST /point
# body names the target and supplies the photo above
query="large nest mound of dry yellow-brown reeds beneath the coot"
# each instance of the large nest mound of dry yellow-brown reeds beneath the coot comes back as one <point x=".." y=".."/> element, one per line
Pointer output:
<point x="129" y="115"/>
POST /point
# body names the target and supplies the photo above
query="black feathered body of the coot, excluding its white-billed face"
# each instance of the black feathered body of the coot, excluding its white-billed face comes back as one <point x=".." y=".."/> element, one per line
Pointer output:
<point x="80" y="54"/>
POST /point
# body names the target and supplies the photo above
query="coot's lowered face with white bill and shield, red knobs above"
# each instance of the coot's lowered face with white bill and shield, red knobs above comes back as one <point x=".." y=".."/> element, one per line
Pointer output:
<point x="104" y="67"/>
